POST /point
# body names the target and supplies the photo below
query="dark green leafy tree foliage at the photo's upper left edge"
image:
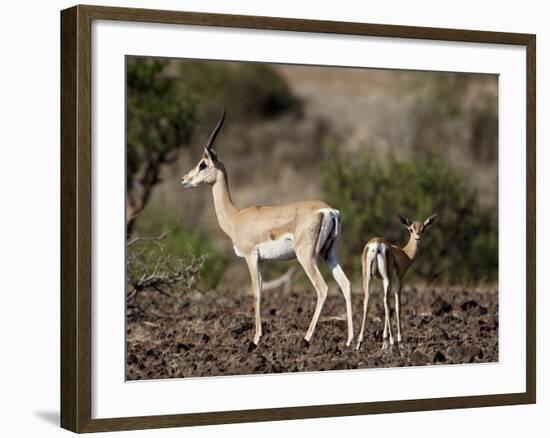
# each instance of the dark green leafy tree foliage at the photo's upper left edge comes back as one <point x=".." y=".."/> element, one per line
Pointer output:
<point x="160" y="117"/>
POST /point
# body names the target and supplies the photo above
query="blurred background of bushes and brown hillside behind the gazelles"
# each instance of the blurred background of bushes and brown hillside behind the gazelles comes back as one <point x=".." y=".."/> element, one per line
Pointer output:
<point x="372" y="143"/>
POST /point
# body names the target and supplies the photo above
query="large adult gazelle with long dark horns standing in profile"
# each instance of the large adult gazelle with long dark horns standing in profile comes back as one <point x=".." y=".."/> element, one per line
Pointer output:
<point x="307" y="230"/>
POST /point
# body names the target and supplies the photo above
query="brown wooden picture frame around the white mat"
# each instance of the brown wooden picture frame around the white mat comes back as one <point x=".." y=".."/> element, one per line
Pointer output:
<point x="76" y="173"/>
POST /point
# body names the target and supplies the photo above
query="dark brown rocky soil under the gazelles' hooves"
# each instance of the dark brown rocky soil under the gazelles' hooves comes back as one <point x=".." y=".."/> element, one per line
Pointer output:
<point x="210" y="334"/>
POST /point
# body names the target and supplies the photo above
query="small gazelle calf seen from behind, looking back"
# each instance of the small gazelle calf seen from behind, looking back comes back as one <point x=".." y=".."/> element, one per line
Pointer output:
<point x="390" y="263"/>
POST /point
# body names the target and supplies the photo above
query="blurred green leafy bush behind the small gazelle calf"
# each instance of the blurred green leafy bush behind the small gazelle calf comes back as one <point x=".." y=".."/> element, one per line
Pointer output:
<point x="462" y="246"/>
